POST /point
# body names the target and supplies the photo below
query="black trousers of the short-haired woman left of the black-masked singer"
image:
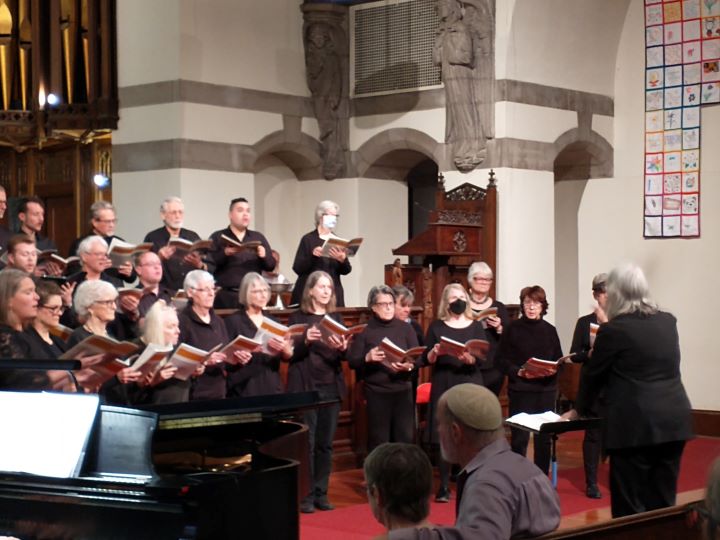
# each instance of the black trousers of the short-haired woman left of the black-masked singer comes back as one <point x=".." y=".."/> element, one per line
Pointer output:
<point x="391" y="417"/>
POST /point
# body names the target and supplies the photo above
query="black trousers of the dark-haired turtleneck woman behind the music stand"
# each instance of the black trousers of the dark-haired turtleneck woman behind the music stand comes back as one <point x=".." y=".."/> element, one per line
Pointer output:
<point x="531" y="402"/>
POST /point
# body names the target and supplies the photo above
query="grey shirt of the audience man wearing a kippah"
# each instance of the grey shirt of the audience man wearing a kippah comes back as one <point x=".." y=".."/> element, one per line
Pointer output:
<point x="505" y="496"/>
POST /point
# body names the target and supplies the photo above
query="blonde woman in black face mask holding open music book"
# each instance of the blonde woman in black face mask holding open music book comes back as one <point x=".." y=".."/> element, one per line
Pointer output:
<point x="455" y="322"/>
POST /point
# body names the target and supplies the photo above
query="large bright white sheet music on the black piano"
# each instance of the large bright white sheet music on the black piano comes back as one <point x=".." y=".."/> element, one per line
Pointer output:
<point x="45" y="433"/>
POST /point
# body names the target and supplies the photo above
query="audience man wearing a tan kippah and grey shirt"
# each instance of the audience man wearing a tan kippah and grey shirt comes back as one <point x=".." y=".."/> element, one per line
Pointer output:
<point x="501" y="494"/>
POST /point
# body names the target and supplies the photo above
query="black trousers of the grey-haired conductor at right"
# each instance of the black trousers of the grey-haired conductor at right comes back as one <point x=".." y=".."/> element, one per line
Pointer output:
<point x="644" y="478"/>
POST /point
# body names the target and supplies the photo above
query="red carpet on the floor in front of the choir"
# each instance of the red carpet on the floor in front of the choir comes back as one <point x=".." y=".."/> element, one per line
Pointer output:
<point x="357" y="523"/>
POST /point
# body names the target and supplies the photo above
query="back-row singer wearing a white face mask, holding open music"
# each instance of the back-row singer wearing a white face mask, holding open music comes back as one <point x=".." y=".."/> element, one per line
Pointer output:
<point x="308" y="257"/>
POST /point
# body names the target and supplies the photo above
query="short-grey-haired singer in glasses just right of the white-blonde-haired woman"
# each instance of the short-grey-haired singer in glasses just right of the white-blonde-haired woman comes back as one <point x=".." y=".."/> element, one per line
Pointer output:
<point x="202" y="328"/>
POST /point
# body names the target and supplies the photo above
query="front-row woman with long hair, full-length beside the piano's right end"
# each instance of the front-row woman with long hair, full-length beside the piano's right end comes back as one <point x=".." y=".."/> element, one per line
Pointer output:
<point x="316" y="365"/>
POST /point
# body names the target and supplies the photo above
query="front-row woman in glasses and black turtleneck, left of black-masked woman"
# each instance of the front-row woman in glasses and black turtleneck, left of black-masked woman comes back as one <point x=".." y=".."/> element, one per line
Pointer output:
<point x="387" y="385"/>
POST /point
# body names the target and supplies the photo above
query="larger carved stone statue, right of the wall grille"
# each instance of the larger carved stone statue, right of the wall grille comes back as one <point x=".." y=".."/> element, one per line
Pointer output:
<point x="464" y="50"/>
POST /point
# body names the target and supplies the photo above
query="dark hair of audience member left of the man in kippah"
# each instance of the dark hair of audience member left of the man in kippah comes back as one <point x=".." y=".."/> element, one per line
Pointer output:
<point x="402" y="475"/>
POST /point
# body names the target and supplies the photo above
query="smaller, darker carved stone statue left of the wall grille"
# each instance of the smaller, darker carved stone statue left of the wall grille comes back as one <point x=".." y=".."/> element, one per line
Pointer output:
<point x="323" y="64"/>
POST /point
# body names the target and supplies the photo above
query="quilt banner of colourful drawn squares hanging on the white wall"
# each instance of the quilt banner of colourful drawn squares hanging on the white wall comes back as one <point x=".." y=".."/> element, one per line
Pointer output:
<point x="682" y="54"/>
